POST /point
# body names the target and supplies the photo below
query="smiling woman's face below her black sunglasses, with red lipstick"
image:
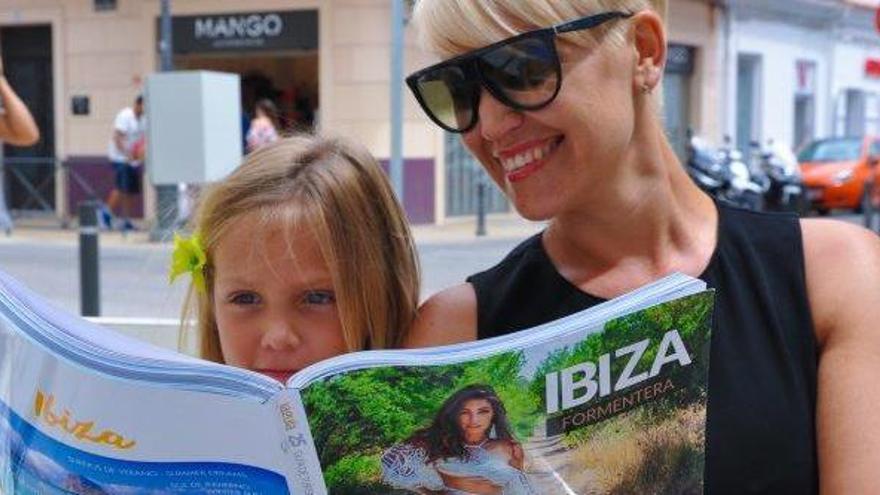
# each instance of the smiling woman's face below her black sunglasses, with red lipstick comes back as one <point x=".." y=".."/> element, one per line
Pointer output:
<point x="546" y="160"/>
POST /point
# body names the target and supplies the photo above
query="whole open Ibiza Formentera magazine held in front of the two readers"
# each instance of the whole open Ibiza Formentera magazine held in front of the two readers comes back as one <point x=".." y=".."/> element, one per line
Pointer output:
<point x="609" y="400"/>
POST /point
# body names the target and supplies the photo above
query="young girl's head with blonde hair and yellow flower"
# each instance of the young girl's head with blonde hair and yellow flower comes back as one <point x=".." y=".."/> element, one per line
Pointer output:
<point x="301" y="254"/>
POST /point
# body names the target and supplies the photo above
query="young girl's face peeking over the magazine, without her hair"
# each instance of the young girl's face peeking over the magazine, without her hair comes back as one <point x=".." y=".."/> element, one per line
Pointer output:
<point x="274" y="302"/>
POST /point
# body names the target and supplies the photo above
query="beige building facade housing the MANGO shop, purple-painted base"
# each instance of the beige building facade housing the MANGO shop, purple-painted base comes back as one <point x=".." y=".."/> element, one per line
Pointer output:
<point x="78" y="62"/>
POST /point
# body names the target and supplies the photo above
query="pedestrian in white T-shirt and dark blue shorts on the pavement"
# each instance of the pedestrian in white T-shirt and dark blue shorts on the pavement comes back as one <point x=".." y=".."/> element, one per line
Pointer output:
<point x="126" y="154"/>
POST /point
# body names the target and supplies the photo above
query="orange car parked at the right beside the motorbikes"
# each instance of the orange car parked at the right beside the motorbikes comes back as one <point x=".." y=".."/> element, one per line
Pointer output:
<point x="840" y="172"/>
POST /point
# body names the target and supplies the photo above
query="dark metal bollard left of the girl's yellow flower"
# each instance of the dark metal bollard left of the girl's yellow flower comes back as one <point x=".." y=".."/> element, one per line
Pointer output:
<point x="89" y="281"/>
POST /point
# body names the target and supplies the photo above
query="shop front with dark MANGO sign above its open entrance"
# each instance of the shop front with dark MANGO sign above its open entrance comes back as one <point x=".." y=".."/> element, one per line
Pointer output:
<point x="274" y="53"/>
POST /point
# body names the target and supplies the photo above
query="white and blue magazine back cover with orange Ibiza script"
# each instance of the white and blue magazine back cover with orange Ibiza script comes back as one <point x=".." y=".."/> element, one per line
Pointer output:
<point x="65" y="429"/>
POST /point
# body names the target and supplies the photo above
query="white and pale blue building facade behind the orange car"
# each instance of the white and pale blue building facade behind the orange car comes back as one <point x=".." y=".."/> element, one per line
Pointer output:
<point x="801" y="69"/>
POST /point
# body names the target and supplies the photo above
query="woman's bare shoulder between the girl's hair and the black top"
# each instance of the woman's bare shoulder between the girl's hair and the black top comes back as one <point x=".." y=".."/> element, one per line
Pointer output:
<point x="447" y="317"/>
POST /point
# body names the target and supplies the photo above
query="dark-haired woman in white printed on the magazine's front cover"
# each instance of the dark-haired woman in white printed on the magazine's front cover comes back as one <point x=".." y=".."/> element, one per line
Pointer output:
<point x="467" y="449"/>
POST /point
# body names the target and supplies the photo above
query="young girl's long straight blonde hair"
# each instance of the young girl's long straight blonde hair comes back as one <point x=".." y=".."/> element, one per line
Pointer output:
<point x="337" y="189"/>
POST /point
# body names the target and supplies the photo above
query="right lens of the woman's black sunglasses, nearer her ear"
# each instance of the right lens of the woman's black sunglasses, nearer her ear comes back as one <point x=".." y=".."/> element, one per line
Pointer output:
<point x="525" y="71"/>
